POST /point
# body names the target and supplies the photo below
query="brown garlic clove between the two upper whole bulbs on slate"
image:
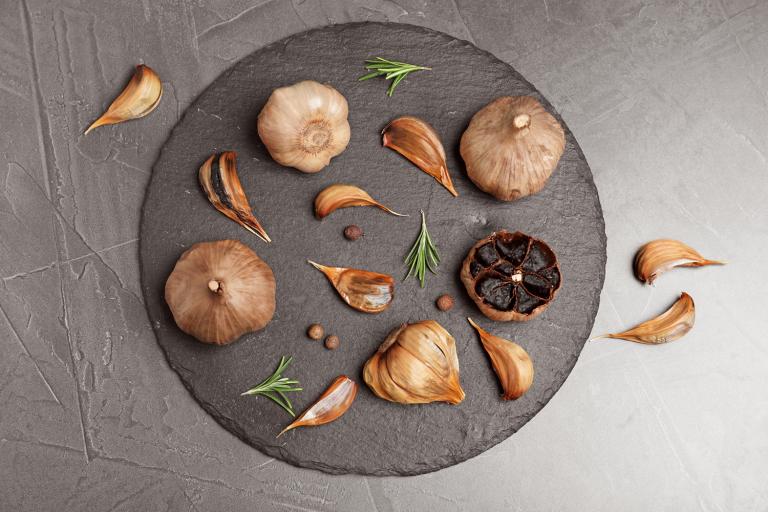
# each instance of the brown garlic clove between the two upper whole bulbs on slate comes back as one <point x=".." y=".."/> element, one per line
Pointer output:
<point x="418" y="142"/>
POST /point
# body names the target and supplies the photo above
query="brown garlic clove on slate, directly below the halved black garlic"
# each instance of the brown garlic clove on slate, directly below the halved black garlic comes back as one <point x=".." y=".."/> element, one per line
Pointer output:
<point x="510" y="361"/>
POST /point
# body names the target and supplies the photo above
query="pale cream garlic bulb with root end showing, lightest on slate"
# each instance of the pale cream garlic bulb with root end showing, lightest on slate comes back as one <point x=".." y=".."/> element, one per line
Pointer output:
<point x="305" y="125"/>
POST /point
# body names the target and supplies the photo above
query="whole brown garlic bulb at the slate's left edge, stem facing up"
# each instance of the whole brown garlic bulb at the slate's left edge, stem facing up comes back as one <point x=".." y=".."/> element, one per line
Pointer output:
<point x="219" y="291"/>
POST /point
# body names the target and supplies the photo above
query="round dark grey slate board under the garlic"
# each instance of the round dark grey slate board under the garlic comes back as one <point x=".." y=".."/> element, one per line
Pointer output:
<point x="374" y="436"/>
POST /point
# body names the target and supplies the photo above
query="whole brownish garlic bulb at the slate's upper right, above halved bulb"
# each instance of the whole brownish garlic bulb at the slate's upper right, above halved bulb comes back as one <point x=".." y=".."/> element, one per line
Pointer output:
<point x="511" y="147"/>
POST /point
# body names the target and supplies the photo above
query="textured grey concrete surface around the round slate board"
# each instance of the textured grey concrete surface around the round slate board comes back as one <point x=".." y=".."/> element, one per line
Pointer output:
<point x="669" y="102"/>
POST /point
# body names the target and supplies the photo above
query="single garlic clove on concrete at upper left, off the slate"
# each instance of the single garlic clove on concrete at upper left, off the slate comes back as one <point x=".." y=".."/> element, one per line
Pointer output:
<point x="140" y="97"/>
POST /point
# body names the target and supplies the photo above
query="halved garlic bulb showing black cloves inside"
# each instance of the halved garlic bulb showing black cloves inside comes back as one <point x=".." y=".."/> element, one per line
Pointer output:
<point x="511" y="276"/>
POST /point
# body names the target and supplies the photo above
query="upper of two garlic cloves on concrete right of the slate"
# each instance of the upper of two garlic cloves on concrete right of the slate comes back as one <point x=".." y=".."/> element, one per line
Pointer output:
<point x="658" y="256"/>
